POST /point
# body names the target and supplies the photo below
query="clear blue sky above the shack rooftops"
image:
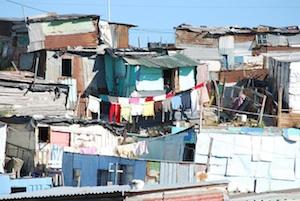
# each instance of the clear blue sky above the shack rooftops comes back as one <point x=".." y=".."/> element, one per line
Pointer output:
<point x="157" y="18"/>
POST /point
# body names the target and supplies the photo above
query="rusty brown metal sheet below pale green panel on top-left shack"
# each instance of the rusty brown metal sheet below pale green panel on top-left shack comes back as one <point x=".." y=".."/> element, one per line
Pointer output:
<point x="72" y="40"/>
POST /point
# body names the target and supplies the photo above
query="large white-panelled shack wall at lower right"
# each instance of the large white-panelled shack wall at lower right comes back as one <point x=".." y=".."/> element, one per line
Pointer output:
<point x="251" y="159"/>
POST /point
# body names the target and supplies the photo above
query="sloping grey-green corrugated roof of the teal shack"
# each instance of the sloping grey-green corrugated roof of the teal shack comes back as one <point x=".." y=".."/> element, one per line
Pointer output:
<point x="174" y="61"/>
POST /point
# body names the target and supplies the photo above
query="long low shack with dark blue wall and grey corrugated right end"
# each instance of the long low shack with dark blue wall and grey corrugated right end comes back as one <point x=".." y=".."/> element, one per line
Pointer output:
<point x="97" y="170"/>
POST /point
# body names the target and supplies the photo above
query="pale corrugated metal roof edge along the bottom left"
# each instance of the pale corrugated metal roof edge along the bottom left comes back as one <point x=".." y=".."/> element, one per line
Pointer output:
<point x="67" y="191"/>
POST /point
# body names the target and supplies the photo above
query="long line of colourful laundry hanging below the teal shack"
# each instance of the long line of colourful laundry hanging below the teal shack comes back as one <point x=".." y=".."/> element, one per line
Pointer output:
<point x="125" y="107"/>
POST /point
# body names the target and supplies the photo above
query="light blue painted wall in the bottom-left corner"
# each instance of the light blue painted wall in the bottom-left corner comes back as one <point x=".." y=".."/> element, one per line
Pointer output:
<point x="31" y="184"/>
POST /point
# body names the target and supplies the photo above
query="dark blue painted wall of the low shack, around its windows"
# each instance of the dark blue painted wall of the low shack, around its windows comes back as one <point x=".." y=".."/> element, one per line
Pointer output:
<point x="90" y="164"/>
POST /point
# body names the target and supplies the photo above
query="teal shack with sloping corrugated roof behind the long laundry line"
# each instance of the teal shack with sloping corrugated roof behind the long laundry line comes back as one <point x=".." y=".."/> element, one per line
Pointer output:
<point x="148" y="75"/>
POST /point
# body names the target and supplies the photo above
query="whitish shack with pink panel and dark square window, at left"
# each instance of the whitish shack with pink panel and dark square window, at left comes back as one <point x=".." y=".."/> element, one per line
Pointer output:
<point x="39" y="142"/>
